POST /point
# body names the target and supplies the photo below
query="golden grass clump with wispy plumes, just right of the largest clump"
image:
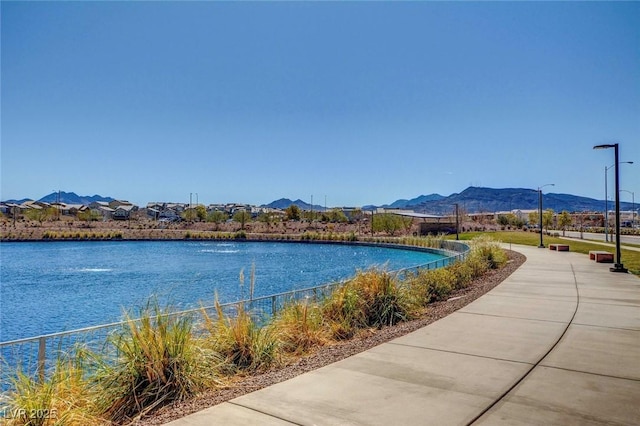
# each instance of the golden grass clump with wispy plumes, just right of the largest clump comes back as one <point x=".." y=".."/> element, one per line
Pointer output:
<point x="244" y="344"/>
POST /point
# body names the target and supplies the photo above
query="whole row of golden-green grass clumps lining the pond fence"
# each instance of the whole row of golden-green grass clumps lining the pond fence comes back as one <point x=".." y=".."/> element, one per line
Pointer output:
<point x="159" y="358"/>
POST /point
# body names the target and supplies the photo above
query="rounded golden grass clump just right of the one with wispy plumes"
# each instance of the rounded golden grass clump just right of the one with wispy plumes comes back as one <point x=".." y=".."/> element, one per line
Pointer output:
<point x="300" y="327"/>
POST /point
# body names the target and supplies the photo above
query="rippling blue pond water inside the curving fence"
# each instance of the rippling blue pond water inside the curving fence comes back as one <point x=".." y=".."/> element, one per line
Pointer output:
<point x="58" y="286"/>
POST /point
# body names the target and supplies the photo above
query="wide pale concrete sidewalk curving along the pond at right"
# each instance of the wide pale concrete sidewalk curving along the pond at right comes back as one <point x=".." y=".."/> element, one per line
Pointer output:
<point x="558" y="342"/>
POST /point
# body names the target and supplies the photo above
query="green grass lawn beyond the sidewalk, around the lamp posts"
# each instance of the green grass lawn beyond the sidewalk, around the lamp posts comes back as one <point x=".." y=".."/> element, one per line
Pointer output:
<point x="630" y="258"/>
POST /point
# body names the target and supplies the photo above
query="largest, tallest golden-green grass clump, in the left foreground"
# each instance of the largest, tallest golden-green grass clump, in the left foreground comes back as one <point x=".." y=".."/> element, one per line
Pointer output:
<point x="159" y="361"/>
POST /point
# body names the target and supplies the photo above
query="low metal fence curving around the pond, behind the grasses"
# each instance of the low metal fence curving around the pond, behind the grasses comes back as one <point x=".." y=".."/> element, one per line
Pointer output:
<point x="36" y="355"/>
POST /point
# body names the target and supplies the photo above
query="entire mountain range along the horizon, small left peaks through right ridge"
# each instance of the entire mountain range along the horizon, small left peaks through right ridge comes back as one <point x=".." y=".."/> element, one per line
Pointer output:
<point x="471" y="200"/>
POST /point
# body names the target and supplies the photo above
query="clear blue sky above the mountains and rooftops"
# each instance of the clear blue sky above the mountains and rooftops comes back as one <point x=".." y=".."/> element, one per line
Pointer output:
<point x="358" y="102"/>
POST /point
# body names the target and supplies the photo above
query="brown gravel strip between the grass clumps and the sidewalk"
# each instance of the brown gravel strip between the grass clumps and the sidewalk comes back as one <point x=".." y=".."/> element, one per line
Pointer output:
<point x="335" y="352"/>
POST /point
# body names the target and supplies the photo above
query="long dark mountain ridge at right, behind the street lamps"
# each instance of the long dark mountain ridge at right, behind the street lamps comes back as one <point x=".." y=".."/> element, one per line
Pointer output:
<point x="477" y="200"/>
